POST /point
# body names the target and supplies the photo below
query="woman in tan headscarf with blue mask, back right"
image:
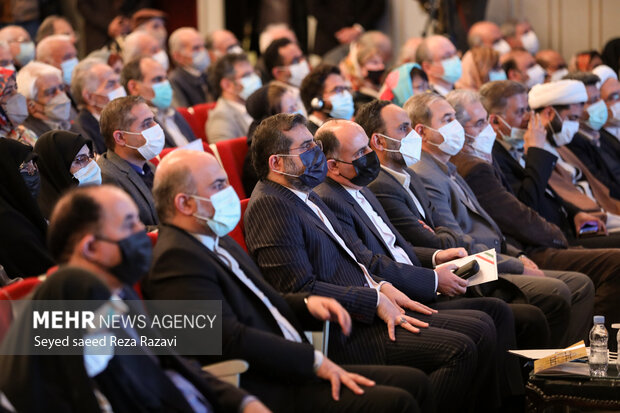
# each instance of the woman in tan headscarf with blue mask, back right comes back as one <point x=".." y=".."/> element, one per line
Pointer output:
<point x="480" y="65"/>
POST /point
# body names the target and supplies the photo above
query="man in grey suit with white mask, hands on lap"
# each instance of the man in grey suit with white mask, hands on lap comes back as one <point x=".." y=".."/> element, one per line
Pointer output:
<point x="443" y="137"/>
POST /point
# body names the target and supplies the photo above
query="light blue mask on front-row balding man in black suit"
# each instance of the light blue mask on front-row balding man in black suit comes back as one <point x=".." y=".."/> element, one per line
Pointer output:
<point x="227" y="211"/>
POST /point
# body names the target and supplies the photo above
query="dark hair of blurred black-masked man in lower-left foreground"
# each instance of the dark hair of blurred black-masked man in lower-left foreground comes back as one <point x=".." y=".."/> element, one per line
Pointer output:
<point x="76" y="214"/>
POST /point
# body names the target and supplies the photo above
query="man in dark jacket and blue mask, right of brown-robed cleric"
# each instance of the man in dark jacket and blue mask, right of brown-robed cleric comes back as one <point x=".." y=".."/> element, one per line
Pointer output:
<point x="586" y="143"/>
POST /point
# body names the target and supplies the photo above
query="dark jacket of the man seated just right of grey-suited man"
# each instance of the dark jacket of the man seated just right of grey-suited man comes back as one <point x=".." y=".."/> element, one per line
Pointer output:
<point x="520" y="224"/>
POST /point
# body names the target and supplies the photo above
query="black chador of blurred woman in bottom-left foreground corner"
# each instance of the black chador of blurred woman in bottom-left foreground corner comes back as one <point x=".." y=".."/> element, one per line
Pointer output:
<point x="50" y="383"/>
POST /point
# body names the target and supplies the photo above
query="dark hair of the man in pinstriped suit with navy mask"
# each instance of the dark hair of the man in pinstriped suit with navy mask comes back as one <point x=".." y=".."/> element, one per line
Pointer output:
<point x="269" y="139"/>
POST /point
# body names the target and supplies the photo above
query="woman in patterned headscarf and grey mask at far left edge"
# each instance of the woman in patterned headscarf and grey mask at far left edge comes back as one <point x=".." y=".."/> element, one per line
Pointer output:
<point x="13" y="110"/>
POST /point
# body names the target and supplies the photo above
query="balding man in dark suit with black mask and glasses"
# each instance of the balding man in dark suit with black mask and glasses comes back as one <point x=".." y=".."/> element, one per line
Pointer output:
<point x="351" y="165"/>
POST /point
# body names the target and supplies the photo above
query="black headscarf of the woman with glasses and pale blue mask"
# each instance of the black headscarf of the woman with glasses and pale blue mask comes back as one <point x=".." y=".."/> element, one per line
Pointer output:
<point x="57" y="150"/>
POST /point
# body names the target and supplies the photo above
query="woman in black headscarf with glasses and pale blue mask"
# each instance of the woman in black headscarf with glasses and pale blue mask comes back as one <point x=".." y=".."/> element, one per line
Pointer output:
<point x="65" y="160"/>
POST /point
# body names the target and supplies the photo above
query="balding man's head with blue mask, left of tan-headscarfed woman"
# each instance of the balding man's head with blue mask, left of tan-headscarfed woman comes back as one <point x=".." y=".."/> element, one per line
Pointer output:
<point x="440" y="61"/>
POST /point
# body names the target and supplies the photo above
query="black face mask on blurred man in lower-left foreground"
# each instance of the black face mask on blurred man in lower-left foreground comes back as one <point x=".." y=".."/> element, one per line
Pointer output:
<point x="137" y="253"/>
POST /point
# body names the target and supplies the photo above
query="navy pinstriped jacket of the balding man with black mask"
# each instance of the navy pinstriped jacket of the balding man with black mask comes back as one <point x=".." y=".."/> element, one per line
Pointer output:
<point x="417" y="282"/>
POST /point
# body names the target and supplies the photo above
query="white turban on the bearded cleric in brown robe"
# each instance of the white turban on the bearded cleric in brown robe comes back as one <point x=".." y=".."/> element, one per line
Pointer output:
<point x="562" y="92"/>
